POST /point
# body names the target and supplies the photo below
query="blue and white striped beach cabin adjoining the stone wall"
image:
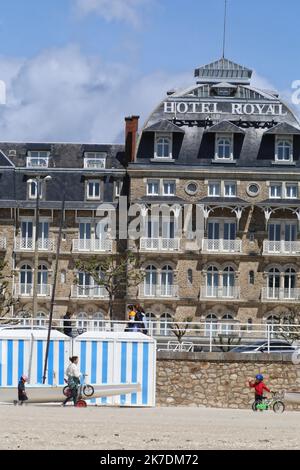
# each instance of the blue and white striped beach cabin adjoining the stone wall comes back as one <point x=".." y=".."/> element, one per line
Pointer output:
<point x="110" y="357"/>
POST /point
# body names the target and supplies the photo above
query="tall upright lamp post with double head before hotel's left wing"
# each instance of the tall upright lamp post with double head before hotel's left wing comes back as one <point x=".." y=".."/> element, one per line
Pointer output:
<point x="38" y="184"/>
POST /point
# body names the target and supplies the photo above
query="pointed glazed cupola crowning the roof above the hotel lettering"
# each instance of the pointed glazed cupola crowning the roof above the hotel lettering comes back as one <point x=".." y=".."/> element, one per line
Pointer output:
<point x="223" y="70"/>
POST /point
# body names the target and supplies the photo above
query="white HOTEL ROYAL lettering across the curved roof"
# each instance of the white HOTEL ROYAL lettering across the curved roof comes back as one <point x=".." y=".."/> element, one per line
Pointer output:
<point x="196" y="107"/>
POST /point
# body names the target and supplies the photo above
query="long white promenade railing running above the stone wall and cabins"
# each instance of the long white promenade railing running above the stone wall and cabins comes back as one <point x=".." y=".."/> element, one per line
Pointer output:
<point x="207" y="336"/>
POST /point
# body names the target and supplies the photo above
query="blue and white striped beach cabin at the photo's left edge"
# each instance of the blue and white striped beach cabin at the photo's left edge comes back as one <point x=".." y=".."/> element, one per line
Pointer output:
<point x="22" y="351"/>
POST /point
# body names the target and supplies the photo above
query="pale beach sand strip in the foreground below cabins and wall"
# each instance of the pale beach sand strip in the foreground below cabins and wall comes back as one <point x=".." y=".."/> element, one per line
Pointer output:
<point x="54" y="427"/>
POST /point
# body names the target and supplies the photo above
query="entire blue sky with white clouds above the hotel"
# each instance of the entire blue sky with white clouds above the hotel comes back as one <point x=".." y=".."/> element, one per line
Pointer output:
<point x="73" y="69"/>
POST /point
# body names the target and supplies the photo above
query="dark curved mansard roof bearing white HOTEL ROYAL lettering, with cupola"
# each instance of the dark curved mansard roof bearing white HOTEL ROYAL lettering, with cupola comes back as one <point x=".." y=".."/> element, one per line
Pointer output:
<point x="222" y="101"/>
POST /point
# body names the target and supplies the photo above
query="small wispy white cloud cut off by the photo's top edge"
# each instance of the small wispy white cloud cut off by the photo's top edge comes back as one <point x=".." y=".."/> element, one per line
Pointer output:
<point x="129" y="11"/>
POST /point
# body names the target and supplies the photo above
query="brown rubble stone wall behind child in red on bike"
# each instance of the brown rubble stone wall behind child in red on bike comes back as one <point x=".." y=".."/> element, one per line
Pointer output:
<point x="219" y="380"/>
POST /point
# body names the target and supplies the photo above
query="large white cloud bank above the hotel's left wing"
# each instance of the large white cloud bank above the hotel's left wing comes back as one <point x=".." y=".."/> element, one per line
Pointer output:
<point x="63" y="95"/>
